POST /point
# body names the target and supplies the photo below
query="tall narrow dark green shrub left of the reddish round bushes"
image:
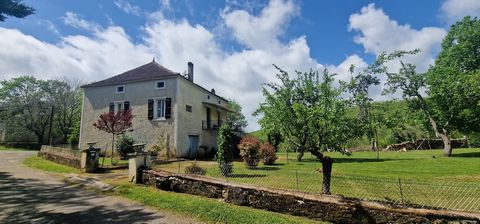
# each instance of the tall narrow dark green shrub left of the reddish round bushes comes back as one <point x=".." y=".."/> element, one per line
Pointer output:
<point x="225" y="146"/>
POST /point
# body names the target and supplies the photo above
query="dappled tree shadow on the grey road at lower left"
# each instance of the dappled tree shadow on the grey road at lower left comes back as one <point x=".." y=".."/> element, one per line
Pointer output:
<point x="34" y="201"/>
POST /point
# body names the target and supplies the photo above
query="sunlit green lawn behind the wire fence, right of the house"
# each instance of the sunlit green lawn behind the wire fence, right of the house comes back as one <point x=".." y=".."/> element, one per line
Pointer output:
<point x="425" y="176"/>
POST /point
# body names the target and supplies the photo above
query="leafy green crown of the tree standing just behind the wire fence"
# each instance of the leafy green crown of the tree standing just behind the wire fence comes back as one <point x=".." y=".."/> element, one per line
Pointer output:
<point x="307" y="112"/>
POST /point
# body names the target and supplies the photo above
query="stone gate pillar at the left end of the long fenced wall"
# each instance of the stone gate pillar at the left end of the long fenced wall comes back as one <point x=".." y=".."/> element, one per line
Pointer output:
<point x="138" y="162"/>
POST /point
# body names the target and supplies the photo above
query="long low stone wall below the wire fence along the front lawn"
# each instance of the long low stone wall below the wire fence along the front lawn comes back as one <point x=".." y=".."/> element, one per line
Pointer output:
<point x="326" y="208"/>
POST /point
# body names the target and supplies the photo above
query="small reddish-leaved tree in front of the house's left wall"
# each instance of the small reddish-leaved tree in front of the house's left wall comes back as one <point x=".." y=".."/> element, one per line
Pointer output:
<point x="114" y="123"/>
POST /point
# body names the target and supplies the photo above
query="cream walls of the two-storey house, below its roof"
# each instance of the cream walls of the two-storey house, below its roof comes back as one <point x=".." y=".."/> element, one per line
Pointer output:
<point x="175" y="132"/>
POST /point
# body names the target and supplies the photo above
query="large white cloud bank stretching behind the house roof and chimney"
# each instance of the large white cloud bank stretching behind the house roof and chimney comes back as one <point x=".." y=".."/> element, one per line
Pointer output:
<point x="109" y="51"/>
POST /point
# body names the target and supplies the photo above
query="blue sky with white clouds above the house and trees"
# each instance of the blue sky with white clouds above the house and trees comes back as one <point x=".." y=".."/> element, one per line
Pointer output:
<point x="233" y="44"/>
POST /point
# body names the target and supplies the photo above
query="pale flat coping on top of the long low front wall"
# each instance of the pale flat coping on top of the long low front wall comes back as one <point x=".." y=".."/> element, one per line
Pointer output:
<point x="323" y="198"/>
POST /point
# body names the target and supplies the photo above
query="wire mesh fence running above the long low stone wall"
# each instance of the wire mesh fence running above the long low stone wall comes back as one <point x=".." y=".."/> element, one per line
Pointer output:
<point x="453" y="195"/>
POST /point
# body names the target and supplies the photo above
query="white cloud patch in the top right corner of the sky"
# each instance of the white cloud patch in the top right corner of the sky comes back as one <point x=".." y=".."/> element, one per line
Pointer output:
<point x="455" y="10"/>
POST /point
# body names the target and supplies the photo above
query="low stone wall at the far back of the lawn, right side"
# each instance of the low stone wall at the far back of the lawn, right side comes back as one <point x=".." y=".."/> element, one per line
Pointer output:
<point x="423" y="144"/>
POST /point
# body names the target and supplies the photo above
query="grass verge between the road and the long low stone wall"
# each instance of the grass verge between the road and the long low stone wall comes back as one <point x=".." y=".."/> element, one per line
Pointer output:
<point x="205" y="209"/>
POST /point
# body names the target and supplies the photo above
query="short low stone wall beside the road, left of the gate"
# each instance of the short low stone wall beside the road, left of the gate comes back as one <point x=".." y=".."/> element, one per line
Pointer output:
<point x="63" y="156"/>
